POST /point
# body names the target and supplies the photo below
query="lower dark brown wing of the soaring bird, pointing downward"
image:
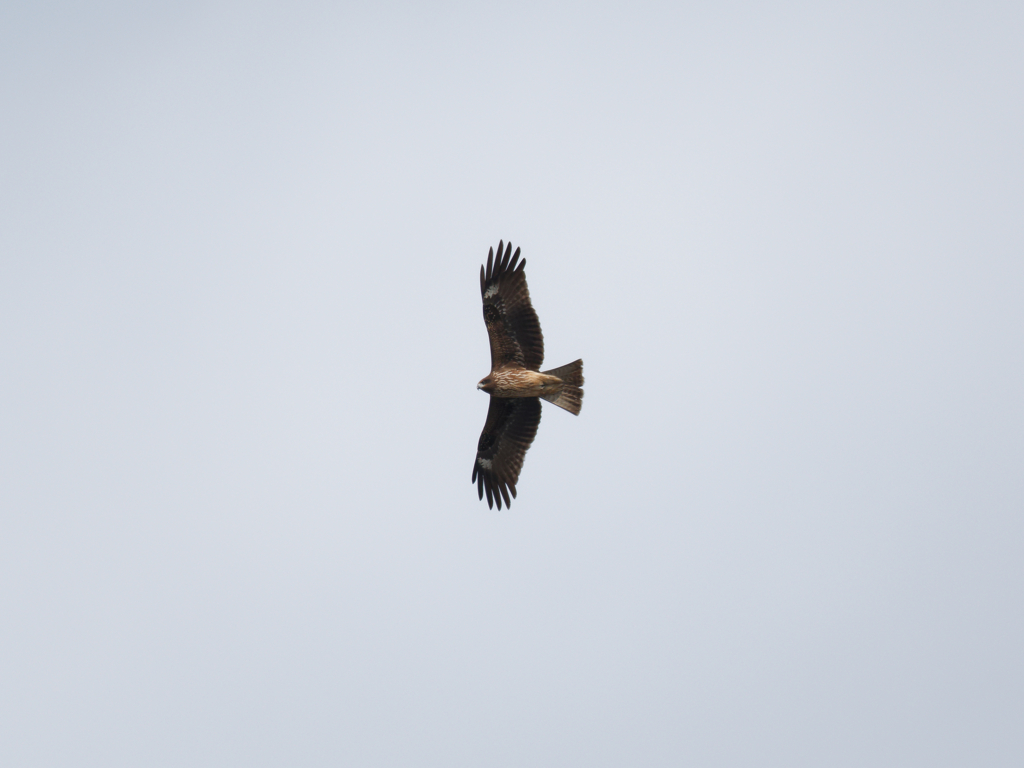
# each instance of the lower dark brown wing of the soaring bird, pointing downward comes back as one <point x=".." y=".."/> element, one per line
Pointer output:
<point x="506" y="438"/>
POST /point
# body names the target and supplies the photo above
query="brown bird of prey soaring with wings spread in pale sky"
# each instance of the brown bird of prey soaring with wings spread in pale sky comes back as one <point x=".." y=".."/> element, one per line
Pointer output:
<point x="516" y="382"/>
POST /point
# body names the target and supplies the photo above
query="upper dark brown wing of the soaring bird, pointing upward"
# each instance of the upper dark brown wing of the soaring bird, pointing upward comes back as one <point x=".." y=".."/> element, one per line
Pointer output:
<point x="513" y="325"/>
